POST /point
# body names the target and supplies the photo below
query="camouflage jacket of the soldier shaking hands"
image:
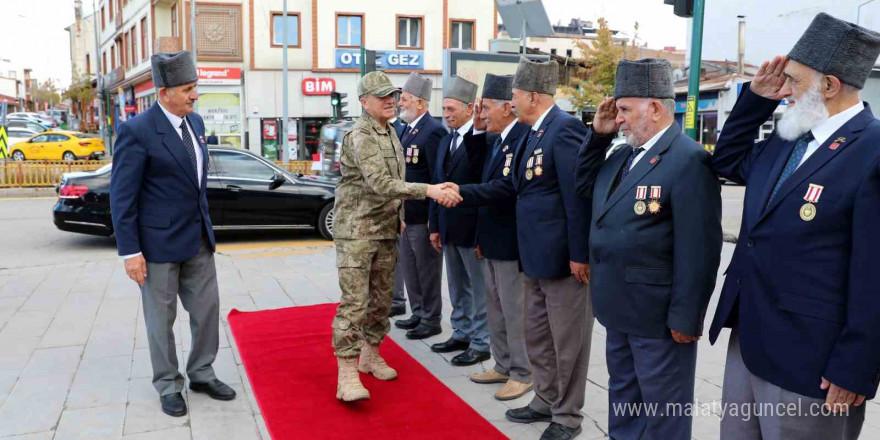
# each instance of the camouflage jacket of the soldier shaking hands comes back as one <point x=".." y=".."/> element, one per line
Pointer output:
<point x="368" y="197"/>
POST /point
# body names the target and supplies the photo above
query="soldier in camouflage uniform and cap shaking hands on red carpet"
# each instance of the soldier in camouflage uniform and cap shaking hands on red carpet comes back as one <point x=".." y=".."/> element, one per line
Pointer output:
<point x="369" y="214"/>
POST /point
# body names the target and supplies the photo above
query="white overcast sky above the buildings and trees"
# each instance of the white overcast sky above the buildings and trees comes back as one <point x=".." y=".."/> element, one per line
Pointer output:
<point x="34" y="35"/>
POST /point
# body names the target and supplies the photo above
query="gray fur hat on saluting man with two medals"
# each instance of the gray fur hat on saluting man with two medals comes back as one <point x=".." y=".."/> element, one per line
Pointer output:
<point x="645" y="78"/>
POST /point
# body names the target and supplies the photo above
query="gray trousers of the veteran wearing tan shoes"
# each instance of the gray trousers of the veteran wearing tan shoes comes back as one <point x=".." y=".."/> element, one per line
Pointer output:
<point x="507" y="321"/>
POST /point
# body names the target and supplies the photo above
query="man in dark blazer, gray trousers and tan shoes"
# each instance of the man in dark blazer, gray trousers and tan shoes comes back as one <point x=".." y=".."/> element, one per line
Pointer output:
<point x="497" y="244"/>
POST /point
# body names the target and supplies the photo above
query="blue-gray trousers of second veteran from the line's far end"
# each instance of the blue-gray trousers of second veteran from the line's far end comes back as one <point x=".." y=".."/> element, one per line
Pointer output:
<point x="466" y="292"/>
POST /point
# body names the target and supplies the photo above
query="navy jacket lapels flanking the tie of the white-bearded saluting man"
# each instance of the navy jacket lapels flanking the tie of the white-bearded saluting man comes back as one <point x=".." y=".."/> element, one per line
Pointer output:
<point x="844" y="136"/>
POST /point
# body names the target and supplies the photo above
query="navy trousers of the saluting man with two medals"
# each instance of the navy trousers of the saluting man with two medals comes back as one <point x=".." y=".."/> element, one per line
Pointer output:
<point x="649" y="371"/>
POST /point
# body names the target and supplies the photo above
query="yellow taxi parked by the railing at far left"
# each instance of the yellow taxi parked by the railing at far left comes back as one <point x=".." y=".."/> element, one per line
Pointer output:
<point x="59" y="145"/>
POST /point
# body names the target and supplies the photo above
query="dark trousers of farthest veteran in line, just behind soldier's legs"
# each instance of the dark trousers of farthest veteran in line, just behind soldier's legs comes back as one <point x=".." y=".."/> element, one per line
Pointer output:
<point x="422" y="266"/>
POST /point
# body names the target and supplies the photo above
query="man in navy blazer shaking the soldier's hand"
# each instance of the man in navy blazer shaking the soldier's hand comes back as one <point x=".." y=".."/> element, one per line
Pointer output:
<point x="553" y="238"/>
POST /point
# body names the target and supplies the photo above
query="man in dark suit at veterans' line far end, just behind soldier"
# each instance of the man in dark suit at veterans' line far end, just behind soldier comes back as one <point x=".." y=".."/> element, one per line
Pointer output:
<point x="420" y="263"/>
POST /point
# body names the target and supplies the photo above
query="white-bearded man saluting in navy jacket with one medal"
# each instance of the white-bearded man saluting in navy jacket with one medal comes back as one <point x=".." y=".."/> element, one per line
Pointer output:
<point x="801" y="290"/>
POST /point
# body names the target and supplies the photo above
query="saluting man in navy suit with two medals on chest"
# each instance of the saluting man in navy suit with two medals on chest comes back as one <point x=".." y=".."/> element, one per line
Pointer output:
<point x="655" y="246"/>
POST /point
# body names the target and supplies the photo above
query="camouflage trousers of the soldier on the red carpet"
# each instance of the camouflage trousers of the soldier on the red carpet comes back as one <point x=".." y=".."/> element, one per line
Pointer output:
<point x="366" y="277"/>
